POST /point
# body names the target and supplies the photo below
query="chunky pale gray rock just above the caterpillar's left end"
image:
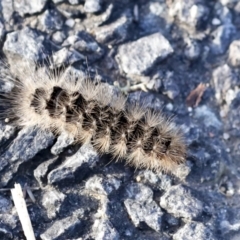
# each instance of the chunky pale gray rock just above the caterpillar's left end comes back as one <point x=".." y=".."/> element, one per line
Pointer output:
<point x="25" y="44"/>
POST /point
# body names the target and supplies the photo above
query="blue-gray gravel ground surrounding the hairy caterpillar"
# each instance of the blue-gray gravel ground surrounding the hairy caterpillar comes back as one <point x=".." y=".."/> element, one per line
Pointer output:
<point x="184" y="58"/>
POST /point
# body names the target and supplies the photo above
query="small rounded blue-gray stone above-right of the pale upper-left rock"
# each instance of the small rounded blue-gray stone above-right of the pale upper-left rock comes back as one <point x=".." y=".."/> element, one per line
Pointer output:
<point x="51" y="20"/>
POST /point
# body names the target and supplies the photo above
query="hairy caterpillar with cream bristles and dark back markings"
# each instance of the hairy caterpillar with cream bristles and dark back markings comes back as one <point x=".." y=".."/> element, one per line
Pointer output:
<point x="89" y="112"/>
